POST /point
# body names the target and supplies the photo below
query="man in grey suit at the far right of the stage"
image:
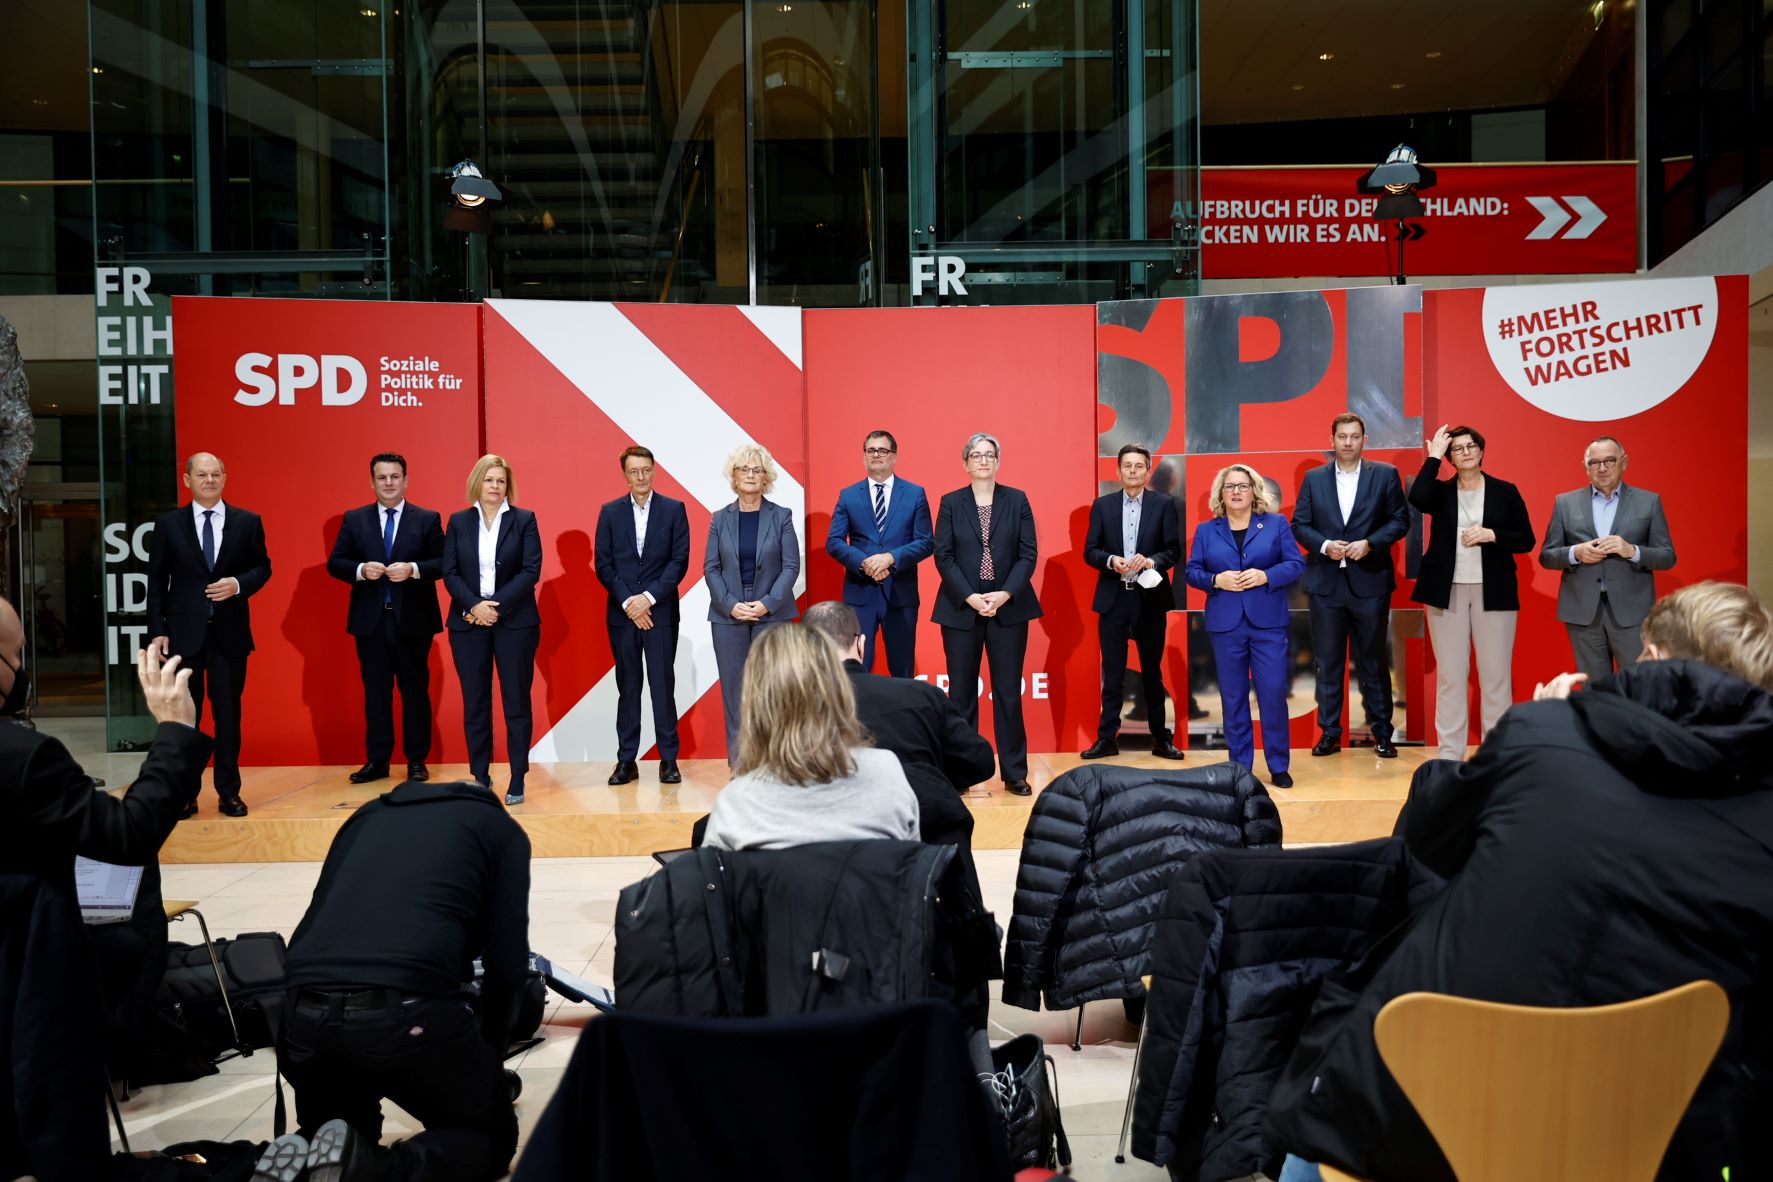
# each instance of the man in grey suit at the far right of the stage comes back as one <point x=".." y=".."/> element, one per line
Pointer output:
<point x="1607" y="540"/>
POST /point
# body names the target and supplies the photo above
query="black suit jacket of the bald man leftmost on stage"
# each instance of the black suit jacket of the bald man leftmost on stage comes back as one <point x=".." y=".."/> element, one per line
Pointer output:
<point x="178" y="577"/>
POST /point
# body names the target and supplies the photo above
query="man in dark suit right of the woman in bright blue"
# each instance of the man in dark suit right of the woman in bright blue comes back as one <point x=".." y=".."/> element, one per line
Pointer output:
<point x="1350" y="515"/>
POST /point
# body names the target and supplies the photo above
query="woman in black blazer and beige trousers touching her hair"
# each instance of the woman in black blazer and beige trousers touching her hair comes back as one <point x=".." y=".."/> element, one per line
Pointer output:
<point x="1469" y="582"/>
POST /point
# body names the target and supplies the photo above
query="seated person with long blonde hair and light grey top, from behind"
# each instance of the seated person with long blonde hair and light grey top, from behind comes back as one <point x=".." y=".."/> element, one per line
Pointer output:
<point x="804" y="770"/>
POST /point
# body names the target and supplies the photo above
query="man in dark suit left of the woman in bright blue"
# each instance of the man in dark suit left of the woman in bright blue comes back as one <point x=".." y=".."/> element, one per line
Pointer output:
<point x="1132" y="533"/>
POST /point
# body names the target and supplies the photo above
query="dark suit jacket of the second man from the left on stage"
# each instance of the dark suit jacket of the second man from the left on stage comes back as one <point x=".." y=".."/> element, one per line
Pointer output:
<point x="419" y="540"/>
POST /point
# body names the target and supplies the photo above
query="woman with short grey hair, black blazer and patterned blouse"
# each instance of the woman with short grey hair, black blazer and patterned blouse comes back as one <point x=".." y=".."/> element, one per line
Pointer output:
<point x="985" y="556"/>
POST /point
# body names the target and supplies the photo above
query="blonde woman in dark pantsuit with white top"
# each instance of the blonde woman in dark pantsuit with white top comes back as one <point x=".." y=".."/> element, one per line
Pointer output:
<point x="492" y="561"/>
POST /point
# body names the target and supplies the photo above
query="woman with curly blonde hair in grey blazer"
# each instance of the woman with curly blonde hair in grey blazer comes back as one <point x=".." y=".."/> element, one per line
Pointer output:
<point x="751" y="566"/>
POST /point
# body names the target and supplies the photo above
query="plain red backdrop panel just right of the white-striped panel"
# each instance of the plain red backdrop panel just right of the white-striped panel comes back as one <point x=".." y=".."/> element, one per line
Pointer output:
<point x="933" y="378"/>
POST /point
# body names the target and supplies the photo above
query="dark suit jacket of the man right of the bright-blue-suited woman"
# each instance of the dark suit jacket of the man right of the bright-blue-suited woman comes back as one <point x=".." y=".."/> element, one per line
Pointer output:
<point x="1382" y="517"/>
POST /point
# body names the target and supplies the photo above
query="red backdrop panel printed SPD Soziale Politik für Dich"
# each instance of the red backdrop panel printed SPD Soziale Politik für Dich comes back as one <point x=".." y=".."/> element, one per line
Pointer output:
<point x="295" y="396"/>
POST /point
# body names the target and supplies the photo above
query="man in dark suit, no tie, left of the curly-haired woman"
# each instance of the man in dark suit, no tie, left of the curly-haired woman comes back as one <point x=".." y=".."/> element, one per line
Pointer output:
<point x="643" y="556"/>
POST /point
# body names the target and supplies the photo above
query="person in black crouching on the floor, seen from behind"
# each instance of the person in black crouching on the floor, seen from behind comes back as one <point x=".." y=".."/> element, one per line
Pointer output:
<point x="418" y="883"/>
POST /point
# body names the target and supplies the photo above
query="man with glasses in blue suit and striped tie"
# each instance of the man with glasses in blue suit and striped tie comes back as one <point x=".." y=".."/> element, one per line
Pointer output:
<point x="880" y="533"/>
